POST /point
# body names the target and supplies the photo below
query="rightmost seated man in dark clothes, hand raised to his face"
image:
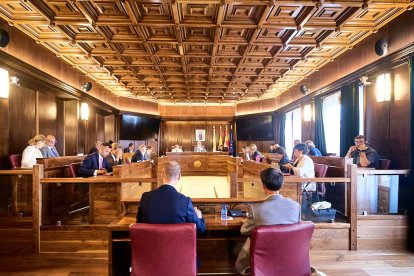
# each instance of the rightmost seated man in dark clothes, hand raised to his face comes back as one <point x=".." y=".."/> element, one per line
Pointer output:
<point x="363" y="155"/>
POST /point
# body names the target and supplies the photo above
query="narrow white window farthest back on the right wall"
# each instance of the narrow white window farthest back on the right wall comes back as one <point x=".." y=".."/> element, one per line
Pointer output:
<point x="293" y="129"/>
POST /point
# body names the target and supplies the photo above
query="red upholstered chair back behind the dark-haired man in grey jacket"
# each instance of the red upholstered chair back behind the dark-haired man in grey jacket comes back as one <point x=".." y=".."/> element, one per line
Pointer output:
<point x="281" y="249"/>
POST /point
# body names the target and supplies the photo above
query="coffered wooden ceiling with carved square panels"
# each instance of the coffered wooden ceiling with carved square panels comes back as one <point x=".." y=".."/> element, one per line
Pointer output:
<point x="199" y="51"/>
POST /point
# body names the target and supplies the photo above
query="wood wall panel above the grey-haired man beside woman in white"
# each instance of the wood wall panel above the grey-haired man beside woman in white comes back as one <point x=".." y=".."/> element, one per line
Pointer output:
<point x="47" y="114"/>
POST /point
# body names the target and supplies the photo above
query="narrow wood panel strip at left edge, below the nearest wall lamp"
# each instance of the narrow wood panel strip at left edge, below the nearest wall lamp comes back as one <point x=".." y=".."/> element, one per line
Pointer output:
<point x="4" y="133"/>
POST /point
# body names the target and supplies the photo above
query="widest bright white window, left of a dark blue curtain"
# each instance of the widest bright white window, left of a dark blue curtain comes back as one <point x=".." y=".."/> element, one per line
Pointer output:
<point x="331" y="114"/>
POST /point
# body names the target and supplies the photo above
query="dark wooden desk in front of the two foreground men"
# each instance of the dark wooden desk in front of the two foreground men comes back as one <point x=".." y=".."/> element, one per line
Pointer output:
<point x="218" y="233"/>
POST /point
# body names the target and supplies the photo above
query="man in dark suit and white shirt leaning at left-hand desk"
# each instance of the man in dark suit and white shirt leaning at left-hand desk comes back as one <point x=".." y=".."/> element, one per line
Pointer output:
<point x="95" y="163"/>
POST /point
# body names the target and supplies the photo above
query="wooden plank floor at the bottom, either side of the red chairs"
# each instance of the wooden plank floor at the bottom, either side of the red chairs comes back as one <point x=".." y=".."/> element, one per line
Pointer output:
<point x="341" y="263"/>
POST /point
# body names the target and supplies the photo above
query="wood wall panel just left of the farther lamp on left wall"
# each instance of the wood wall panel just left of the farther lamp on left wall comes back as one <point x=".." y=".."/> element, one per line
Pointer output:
<point x="71" y="122"/>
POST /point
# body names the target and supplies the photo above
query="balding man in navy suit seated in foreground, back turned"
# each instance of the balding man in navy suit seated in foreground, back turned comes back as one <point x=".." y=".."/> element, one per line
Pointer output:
<point x="166" y="205"/>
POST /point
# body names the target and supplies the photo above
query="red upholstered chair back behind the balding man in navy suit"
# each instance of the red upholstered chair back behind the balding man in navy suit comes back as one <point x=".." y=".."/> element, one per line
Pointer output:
<point x="163" y="249"/>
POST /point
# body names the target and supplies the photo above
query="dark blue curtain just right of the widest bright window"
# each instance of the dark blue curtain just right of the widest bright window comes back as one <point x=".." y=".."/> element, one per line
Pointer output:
<point x="349" y="116"/>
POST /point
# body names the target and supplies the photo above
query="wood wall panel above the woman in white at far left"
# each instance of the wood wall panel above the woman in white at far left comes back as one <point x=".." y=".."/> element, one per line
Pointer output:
<point x="22" y="114"/>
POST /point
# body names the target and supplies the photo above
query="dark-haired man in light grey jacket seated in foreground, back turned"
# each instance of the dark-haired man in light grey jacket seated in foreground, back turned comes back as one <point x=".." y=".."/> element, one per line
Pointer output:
<point x="274" y="210"/>
